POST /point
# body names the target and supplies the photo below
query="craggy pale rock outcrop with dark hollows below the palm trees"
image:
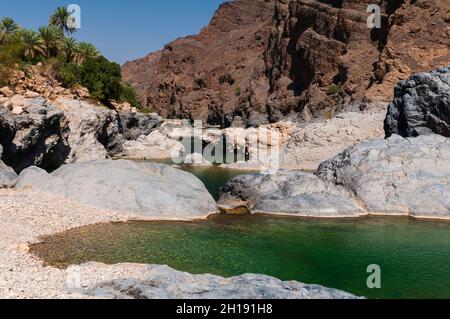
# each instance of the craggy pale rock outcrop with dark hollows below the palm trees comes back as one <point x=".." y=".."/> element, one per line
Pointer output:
<point x="35" y="132"/>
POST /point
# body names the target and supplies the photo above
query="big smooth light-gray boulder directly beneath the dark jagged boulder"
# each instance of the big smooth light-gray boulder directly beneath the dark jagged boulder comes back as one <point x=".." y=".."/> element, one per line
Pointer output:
<point x="396" y="176"/>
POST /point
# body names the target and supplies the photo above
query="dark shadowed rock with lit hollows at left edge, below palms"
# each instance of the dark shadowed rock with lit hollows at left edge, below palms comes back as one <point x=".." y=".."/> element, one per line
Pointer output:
<point x="37" y="136"/>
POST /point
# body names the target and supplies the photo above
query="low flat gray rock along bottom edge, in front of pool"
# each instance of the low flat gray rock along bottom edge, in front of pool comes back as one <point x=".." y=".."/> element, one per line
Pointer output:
<point x="131" y="281"/>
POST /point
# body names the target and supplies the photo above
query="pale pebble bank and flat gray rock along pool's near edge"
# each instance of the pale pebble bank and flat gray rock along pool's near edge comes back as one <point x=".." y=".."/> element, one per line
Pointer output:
<point x="26" y="216"/>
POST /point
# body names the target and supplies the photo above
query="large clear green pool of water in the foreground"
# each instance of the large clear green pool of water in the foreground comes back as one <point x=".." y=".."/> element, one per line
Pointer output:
<point x="414" y="256"/>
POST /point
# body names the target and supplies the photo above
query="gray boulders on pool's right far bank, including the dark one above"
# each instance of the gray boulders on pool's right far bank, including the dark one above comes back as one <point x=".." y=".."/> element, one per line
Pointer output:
<point x="403" y="175"/>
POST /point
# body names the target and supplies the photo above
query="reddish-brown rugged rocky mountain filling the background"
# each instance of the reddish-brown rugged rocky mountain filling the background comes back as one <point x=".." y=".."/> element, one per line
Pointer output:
<point x="262" y="60"/>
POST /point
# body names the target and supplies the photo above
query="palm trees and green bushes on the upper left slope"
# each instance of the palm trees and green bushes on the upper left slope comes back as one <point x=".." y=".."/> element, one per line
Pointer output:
<point x="72" y="63"/>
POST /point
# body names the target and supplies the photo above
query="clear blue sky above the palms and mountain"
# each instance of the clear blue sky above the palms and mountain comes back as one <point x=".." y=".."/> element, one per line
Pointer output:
<point x="121" y="29"/>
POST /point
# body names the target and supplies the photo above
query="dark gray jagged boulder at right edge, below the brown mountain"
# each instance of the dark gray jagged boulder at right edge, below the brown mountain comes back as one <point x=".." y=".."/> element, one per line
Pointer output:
<point x="421" y="105"/>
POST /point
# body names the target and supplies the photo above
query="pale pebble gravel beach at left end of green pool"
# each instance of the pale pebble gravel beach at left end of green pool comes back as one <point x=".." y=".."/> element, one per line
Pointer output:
<point x="24" y="217"/>
